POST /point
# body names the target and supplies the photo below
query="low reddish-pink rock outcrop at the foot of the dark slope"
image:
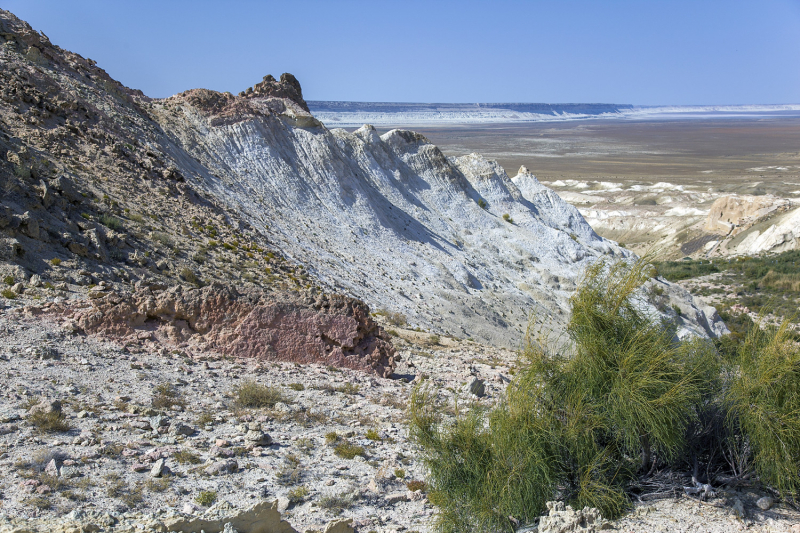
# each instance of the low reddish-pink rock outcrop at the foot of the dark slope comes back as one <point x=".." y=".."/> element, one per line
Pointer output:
<point x="327" y="329"/>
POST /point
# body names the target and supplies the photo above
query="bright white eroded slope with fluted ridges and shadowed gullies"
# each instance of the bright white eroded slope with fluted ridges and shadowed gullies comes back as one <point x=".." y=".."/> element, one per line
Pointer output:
<point x="391" y="220"/>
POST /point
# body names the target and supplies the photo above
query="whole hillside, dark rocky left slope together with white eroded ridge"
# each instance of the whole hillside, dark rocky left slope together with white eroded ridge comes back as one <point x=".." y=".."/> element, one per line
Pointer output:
<point x="101" y="183"/>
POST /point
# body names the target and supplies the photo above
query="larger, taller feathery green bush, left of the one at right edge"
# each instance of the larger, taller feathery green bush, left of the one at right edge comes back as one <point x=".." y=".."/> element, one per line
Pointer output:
<point x="578" y="421"/>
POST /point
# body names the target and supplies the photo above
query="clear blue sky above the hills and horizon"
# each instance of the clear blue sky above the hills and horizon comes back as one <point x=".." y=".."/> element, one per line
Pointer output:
<point x="645" y="52"/>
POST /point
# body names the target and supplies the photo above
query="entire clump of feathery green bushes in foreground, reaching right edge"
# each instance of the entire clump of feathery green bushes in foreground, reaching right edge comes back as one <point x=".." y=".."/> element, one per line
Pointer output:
<point x="583" y="420"/>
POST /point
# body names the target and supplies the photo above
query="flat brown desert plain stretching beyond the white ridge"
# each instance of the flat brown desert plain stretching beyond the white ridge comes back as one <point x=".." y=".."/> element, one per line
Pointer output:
<point x="731" y="155"/>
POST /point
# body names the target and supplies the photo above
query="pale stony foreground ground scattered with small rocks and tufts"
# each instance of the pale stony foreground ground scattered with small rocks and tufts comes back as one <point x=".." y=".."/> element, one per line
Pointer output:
<point x="151" y="436"/>
